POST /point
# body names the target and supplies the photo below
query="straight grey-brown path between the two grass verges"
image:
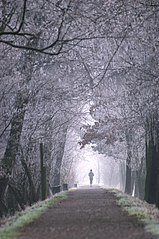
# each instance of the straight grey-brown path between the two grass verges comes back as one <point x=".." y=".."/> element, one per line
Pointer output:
<point x="88" y="213"/>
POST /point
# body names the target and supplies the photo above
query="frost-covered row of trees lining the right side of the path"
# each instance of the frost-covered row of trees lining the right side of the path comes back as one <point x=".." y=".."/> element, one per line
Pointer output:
<point x="125" y="103"/>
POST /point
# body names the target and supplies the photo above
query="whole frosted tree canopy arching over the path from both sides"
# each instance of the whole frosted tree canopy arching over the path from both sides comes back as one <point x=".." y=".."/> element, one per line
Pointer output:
<point x="58" y="56"/>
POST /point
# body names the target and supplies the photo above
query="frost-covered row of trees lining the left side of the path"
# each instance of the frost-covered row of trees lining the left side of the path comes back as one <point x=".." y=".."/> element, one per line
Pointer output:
<point x="42" y="94"/>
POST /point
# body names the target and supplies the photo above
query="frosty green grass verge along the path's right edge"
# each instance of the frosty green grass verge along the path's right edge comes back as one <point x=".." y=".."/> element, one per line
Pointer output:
<point x="145" y="213"/>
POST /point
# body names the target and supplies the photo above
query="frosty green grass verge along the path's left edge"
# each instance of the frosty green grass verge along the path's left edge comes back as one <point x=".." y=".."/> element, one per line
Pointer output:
<point x="14" y="224"/>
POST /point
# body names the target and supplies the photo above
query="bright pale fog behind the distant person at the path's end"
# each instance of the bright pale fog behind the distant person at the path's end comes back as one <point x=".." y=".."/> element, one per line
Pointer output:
<point x="105" y="169"/>
